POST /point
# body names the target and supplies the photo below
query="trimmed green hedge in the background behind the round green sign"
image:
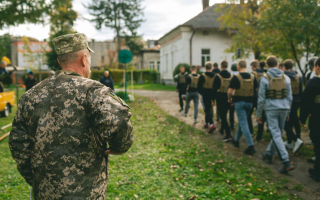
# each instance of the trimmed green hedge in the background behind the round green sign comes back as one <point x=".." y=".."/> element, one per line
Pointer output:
<point x="146" y="76"/>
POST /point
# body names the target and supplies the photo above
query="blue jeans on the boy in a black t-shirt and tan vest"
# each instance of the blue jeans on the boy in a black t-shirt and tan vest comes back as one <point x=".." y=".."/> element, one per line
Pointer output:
<point x="242" y="109"/>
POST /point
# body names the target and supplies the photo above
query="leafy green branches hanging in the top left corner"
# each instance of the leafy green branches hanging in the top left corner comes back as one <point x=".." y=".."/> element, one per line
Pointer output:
<point x="14" y="12"/>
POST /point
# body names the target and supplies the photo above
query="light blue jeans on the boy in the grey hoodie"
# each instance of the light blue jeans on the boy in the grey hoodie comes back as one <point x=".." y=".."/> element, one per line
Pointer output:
<point x="276" y="121"/>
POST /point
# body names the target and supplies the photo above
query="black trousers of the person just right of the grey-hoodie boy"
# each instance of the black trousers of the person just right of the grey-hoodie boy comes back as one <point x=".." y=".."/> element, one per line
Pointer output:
<point x="293" y="123"/>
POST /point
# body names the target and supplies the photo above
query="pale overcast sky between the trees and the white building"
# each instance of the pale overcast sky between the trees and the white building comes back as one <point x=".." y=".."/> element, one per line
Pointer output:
<point x="161" y="16"/>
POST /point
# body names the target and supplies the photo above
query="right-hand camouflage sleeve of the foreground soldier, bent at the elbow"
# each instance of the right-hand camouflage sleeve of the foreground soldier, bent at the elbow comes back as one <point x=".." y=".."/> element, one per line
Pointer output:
<point x="111" y="118"/>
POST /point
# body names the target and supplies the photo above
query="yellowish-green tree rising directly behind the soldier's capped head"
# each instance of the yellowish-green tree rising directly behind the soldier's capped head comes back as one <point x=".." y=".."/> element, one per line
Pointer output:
<point x="62" y="19"/>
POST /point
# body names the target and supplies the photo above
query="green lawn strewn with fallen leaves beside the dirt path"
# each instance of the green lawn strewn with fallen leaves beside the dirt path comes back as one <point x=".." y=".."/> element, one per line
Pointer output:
<point x="169" y="160"/>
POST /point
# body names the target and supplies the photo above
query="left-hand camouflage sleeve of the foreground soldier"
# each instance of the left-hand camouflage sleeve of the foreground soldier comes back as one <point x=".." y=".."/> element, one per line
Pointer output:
<point x="21" y="145"/>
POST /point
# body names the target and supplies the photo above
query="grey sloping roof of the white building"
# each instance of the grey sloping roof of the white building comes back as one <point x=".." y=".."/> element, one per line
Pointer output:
<point x="207" y="19"/>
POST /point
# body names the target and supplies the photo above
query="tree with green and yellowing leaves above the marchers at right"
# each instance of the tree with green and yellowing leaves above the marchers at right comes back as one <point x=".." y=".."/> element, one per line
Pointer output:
<point x="296" y="24"/>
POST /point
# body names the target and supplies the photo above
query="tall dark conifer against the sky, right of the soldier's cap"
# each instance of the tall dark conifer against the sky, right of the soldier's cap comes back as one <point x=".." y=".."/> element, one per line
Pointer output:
<point x="124" y="16"/>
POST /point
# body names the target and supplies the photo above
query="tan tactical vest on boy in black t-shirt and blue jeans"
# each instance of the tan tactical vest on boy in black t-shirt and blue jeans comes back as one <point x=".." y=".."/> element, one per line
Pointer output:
<point x="246" y="86"/>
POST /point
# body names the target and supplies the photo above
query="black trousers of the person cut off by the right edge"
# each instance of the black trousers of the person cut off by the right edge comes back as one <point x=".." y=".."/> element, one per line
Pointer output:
<point x="315" y="137"/>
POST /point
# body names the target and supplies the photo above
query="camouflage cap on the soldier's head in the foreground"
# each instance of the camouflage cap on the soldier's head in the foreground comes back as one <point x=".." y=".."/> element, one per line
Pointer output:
<point x="70" y="43"/>
